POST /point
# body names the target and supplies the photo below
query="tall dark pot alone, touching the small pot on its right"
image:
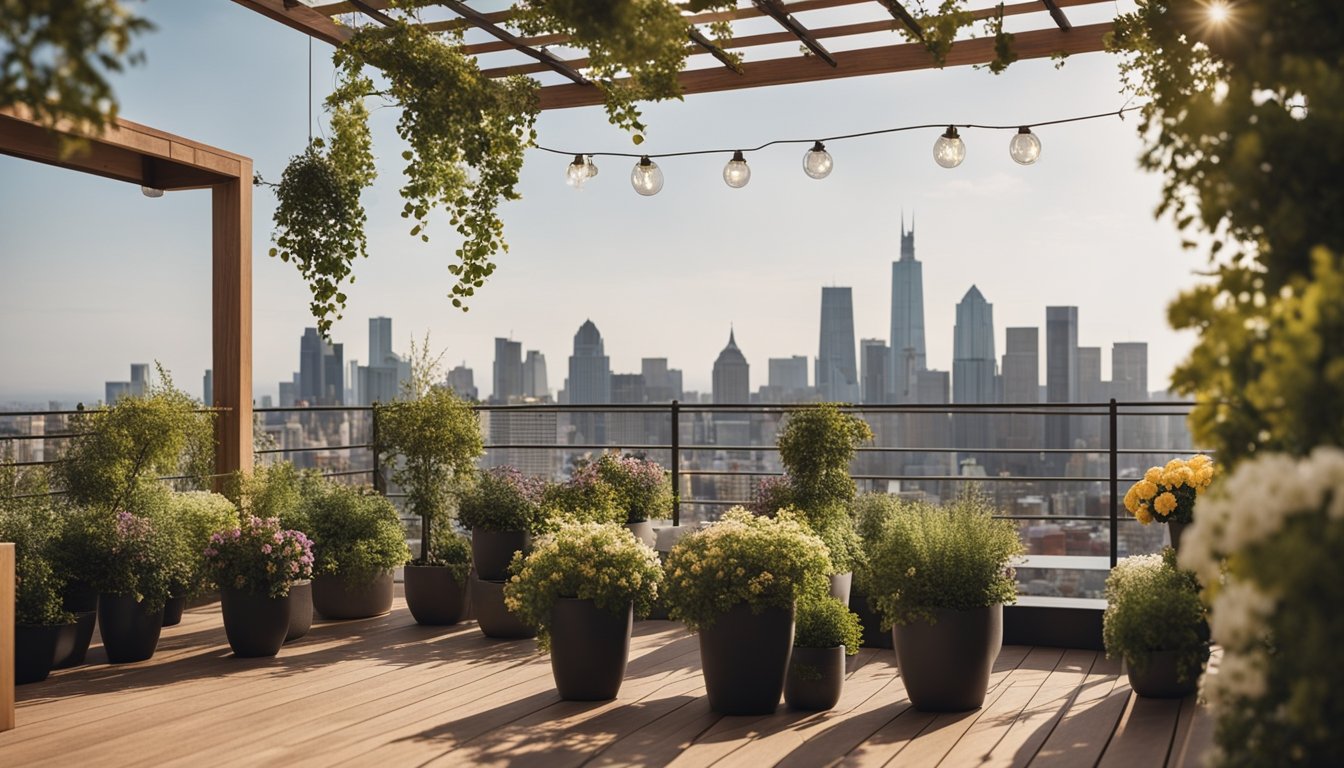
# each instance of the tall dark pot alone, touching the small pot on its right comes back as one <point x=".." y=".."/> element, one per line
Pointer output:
<point x="745" y="658"/>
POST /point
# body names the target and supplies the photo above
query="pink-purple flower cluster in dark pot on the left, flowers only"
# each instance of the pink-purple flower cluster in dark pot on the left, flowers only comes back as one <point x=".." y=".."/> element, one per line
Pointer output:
<point x="259" y="558"/>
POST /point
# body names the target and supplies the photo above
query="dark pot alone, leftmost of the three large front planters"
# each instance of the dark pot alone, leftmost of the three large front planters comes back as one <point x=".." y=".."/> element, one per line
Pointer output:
<point x="589" y="649"/>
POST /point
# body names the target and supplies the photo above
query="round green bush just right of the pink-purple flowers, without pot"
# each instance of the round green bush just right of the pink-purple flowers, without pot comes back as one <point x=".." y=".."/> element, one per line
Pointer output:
<point x="355" y="533"/>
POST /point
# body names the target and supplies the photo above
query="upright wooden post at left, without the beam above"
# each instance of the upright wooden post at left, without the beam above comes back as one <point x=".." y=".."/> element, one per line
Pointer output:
<point x="233" y="323"/>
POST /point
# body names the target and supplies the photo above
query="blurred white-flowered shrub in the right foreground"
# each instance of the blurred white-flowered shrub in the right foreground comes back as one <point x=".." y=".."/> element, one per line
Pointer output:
<point x="1268" y="547"/>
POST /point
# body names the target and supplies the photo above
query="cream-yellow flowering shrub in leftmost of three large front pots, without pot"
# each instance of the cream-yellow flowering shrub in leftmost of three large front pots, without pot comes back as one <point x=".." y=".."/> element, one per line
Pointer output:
<point x="589" y="562"/>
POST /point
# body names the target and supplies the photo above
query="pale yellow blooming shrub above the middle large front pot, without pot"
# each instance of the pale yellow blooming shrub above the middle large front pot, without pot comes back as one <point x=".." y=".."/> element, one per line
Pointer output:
<point x="744" y="559"/>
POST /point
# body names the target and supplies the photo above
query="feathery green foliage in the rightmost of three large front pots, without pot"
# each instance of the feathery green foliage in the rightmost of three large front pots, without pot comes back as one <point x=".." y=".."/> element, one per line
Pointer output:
<point x="931" y="558"/>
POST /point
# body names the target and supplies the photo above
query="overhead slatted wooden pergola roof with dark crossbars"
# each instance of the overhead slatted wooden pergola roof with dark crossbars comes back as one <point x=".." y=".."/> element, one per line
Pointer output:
<point x="1052" y="36"/>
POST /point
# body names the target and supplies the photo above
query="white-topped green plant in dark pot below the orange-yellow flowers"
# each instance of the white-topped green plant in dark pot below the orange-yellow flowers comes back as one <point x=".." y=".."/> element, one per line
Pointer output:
<point x="1158" y="625"/>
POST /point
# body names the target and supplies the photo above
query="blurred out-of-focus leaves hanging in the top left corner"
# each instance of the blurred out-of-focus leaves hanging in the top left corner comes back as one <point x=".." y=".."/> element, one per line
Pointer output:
<point x="54" y="56"/>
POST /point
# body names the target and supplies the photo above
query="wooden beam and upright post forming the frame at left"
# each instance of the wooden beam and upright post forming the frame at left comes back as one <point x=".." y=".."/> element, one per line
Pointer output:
<point x="140" y="155"/>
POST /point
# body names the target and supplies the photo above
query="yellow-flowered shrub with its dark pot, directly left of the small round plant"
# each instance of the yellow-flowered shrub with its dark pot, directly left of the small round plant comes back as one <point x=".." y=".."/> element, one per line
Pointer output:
<point x="736" y="583"/>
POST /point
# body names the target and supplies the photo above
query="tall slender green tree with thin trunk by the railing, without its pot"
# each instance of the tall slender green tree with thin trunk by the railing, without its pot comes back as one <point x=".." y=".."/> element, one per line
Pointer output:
<point x="436" y="436"/>
